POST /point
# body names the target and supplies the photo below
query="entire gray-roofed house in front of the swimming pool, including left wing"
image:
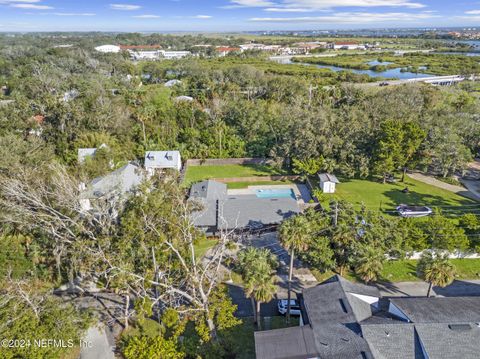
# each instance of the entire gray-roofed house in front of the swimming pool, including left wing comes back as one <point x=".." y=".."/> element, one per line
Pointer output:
<point x="223" y="211"/>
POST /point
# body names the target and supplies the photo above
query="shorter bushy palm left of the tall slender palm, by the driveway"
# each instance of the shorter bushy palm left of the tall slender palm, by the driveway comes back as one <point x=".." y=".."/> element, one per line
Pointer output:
<point x="261" y="287"/>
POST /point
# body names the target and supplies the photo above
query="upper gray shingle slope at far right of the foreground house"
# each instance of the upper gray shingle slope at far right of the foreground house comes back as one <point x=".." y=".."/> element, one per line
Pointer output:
<point x="440" y="310"/>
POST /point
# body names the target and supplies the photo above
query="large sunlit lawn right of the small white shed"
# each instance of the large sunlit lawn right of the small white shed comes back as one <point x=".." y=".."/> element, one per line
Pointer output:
<point x="376" y="195"/>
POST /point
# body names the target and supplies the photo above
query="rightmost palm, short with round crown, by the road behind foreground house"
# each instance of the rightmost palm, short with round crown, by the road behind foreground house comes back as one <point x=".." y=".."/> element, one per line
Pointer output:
<point x="435" y="269"/>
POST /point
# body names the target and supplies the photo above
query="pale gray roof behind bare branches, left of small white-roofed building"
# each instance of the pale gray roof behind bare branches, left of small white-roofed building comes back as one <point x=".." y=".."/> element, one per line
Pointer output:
<point x="121" y="181"/>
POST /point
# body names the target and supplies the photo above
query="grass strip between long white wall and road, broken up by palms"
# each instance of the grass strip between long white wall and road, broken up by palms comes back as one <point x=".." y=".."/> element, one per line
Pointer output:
<point x="405" y="271"/>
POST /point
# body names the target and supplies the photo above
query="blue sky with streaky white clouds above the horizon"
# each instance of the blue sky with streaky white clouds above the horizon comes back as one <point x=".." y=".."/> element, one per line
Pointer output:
<point x="233" y="15"/>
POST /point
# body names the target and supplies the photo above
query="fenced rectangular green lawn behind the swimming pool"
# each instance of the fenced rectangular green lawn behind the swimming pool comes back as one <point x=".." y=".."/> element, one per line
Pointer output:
<point x="199" y="173"/>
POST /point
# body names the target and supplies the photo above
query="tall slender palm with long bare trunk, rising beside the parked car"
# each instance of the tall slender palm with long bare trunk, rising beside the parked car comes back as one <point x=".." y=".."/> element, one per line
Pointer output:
<point x="295" y="235"/>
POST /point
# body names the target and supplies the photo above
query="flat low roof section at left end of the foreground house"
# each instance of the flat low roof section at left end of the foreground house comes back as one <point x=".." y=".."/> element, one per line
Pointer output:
<point x="288" y="343"/>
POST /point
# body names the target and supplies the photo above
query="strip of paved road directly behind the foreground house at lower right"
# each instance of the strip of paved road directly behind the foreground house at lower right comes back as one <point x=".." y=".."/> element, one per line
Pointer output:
<point x="419" y="289"/>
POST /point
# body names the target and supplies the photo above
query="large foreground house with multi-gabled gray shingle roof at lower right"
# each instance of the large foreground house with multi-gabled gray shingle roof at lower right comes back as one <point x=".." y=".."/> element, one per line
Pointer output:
<point x="341" y="319"/>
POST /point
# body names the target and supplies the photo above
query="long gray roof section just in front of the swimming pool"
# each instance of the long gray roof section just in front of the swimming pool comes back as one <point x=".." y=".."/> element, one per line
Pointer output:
<point x="244" y="211"/>
